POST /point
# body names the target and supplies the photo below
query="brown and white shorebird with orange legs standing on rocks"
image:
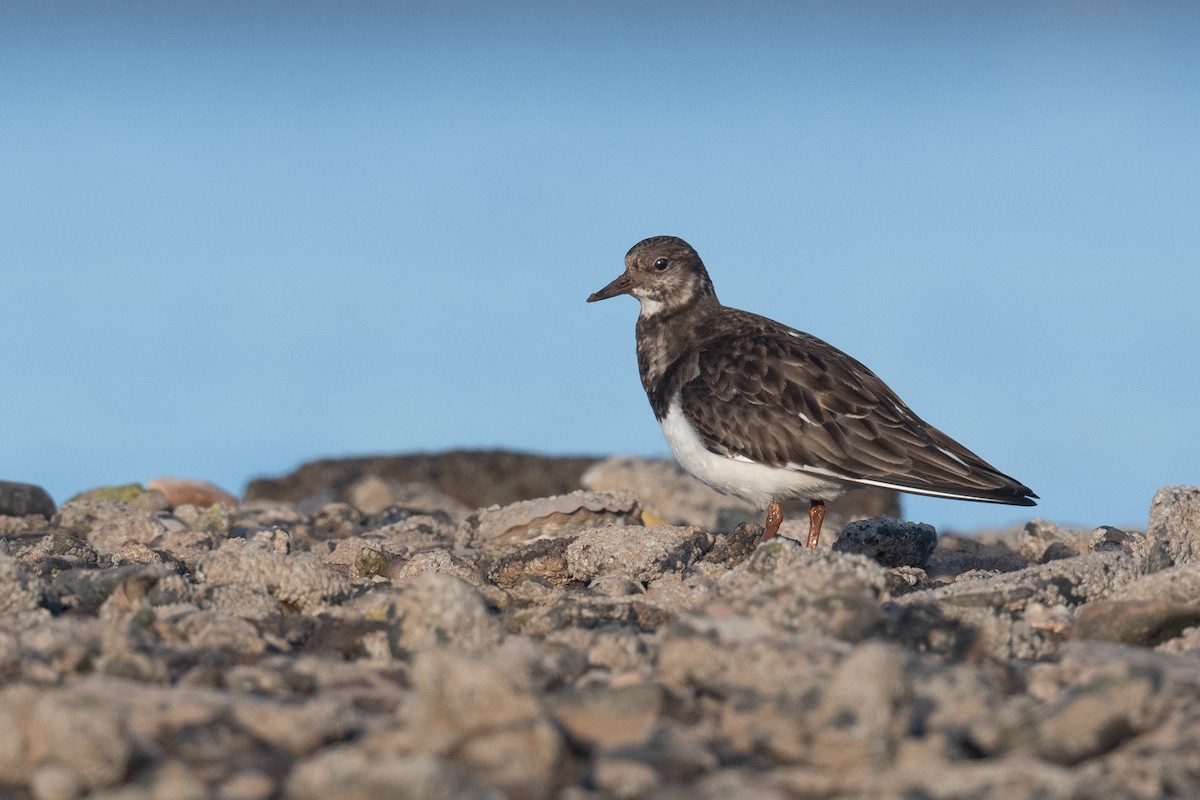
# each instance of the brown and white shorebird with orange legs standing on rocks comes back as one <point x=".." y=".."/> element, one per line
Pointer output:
<point x="766" y="413"/>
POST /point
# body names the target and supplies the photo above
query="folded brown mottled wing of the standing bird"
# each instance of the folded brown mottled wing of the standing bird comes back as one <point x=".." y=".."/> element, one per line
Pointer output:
<point x="790" y="400"/>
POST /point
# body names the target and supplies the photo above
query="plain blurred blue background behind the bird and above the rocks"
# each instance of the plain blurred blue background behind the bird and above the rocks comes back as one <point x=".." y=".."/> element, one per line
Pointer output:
<point x="238" y="237"/>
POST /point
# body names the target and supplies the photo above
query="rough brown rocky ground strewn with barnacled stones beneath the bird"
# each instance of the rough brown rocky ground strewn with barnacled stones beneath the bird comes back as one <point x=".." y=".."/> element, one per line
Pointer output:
<point x="374" y="635"/>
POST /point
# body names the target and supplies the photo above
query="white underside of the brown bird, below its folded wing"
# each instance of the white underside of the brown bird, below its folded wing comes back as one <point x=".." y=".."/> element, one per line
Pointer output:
<point x="739" y="477"/>
